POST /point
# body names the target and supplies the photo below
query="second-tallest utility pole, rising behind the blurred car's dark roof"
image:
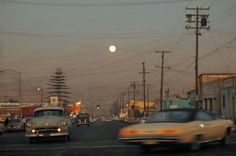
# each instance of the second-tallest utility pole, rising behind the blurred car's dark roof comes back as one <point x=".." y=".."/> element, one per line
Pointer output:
<point x="162" y="75"/>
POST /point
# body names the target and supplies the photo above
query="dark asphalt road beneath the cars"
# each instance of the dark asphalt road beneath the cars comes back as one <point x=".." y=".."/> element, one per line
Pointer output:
<point x="98" y="140"/>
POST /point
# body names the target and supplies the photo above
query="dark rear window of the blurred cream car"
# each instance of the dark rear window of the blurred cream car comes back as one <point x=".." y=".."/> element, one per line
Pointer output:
<point x="169" y="116"/>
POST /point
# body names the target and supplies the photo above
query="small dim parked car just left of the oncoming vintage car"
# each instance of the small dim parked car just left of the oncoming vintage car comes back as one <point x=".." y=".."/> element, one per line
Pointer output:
<point x="15" y="125"/>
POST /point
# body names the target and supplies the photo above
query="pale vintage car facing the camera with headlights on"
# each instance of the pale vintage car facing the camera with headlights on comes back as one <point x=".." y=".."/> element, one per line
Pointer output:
<point x="48" y="122"/>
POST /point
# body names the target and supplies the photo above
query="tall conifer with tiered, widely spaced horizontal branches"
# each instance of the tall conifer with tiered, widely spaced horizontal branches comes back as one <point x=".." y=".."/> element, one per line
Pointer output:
<point x="57" y="86"/>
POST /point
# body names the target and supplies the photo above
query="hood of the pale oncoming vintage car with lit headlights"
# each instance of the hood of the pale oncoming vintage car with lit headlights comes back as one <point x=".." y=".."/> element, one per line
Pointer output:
<point x="46" y="121"/>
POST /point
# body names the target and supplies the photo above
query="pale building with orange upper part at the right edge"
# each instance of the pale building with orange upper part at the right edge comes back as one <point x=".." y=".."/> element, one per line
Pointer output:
<point x="217" y="93"/>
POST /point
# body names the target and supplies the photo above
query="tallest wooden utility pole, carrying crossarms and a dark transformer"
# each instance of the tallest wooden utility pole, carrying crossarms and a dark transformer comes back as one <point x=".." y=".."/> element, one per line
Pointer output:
<point x="203" y="20"/>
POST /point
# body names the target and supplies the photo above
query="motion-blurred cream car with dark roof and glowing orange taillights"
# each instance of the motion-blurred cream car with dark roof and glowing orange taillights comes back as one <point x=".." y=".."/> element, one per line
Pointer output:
<point x="190" y="127"/>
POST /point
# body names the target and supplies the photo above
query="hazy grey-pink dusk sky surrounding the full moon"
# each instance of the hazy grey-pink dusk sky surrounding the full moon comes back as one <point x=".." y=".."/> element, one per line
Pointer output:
<point x="36" y="37"/>
